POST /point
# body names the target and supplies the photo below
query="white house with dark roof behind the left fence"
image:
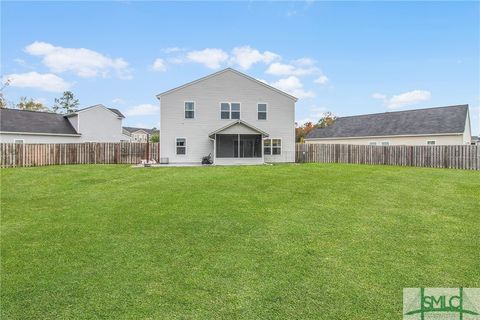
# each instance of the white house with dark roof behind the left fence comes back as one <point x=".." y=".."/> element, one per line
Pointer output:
<point x="93" y="124"/>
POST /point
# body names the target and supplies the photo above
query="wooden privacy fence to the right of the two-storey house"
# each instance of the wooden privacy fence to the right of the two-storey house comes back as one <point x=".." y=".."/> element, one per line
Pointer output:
<point x="456" y="157"/>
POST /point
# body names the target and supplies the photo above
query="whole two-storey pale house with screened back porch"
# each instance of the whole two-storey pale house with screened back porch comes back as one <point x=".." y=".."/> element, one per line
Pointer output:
<point x="234" y="117"/>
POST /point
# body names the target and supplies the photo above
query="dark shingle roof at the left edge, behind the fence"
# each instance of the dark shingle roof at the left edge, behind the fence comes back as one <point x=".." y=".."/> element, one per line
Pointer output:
<point x="14" y="120"/>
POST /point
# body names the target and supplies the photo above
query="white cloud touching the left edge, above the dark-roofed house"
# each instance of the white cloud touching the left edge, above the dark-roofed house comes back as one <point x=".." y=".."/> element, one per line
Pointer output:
<point x="45" y="81"/>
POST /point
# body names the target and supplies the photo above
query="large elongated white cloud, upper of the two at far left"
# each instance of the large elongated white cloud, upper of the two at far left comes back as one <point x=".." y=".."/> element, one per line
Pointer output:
<point x="81" y="61"/>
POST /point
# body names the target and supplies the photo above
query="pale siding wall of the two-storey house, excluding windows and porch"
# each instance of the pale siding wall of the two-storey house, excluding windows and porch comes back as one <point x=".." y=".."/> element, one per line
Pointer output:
<point x="207" y="95"/>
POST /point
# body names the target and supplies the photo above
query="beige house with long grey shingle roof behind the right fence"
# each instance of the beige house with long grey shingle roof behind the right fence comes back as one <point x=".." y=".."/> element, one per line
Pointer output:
<point x="432" y="126"/>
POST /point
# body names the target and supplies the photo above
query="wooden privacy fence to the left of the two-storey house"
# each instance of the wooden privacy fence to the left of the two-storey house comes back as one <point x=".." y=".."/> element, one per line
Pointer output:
<point x="30" y="155"/>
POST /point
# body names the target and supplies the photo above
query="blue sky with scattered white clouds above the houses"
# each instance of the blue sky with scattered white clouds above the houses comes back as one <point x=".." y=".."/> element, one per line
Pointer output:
<point x="344" y="57"/>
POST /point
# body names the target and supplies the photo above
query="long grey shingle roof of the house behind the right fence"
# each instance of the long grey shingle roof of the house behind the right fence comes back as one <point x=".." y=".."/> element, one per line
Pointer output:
<point x="439" y="120"/>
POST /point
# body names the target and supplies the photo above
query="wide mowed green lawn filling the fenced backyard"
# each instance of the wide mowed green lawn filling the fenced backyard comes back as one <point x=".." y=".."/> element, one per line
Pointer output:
<point x="313" y="241"/>
